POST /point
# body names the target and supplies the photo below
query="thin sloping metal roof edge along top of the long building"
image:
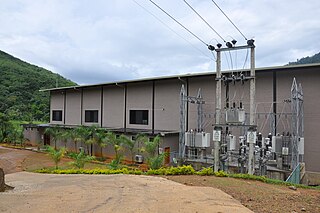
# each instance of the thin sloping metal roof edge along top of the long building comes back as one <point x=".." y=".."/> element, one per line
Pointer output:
<point x="182" y="76"/>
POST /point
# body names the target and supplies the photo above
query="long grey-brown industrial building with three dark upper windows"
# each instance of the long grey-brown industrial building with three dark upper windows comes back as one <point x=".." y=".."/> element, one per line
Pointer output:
<point x="153" y="106"/>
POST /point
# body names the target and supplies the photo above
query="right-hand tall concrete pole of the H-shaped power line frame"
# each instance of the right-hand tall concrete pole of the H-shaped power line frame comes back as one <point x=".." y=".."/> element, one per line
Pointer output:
<point x="252" y="110"/>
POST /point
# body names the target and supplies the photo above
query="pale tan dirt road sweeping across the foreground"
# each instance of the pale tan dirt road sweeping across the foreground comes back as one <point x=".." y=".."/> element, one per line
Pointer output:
<point x="103" y="193"/>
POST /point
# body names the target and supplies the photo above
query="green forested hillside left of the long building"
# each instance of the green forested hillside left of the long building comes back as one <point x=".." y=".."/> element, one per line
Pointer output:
<point x="20" y="83"/>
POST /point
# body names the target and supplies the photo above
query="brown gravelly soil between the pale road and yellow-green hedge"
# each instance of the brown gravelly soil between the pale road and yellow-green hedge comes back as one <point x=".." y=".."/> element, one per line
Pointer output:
<point x="258" y="196"/>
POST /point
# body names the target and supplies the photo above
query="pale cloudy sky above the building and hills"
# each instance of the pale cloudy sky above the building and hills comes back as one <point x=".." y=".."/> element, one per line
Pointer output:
<point x="98" y="41"/>
